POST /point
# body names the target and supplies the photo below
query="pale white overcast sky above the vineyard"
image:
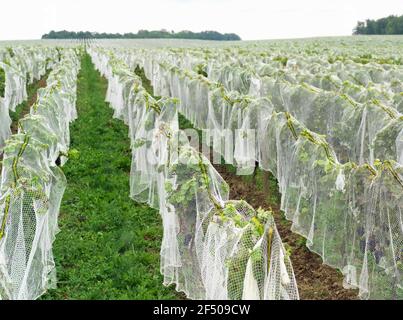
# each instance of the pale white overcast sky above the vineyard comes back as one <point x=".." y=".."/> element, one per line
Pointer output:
<point x="251" y="19"/>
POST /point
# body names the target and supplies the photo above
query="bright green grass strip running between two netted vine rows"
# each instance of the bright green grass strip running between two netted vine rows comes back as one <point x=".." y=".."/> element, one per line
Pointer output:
<point x="108" y="247"/>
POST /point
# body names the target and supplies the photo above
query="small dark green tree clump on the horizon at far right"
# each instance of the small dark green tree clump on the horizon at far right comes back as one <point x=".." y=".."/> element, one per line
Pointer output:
<point x="389" y="25"/>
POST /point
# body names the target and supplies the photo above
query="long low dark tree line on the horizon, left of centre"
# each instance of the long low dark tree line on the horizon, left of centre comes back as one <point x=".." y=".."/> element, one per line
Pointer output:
<point x="144" y="34"/>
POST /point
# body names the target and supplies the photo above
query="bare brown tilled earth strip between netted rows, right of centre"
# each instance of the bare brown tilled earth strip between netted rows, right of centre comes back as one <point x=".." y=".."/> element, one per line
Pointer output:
<point x="315" y="280"/>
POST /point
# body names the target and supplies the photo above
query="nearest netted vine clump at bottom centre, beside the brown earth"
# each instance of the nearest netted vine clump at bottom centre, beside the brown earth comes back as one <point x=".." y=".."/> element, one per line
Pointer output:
<point x="243" y="256"/>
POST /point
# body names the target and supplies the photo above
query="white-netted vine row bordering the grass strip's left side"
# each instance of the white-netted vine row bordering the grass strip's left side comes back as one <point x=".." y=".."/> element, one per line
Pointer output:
<point x="32" y="186"/>
